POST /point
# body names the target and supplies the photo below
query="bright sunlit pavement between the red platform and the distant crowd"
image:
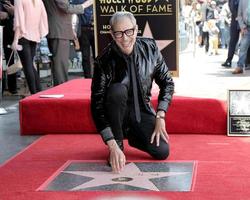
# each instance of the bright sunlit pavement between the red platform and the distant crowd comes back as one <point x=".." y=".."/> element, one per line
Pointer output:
<point x="203" y="76"/>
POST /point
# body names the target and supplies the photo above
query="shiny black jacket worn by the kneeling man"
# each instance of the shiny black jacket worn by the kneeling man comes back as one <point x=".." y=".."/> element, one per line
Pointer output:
<point x="110" y="67"/>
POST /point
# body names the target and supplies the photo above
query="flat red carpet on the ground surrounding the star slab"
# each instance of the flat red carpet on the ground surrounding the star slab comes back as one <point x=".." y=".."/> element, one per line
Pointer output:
<point x="223" y="170"/>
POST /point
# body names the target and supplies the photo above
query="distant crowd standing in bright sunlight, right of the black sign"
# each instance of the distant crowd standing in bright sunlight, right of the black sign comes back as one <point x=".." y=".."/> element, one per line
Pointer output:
<point x="220" y="24"/>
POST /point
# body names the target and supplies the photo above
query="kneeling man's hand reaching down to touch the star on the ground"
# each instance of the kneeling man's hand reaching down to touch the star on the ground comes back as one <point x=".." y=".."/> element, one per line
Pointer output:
<point x="117" y="158"/>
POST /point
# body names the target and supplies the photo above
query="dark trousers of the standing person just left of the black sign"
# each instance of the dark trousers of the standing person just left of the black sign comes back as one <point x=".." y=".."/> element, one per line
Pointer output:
<point x="86" y="40"/>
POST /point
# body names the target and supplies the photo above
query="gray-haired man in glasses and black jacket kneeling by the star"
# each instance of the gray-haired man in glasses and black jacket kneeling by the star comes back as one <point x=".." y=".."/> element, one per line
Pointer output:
<point x="121" y="92"/>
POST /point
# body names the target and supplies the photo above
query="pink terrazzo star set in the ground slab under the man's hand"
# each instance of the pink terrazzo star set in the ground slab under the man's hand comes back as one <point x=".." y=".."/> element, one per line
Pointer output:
<point x="130" y="176"/>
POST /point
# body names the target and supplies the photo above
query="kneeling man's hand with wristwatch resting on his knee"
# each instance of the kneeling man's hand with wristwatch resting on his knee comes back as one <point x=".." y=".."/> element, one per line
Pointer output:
<point x="160" y="130"/>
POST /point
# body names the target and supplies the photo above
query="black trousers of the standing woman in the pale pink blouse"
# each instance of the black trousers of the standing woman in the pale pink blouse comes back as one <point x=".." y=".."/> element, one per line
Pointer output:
<point x="27" y="56"/>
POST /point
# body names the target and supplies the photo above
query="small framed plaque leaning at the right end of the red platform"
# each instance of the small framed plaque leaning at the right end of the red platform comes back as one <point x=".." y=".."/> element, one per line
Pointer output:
<point x="238" y="113"/>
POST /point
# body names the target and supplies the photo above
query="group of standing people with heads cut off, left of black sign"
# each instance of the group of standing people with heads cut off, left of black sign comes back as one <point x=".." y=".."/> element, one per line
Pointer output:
<point x="26" y="22"/>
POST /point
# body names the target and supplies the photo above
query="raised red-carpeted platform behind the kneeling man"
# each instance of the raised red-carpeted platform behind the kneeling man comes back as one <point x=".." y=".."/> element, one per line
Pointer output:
<point x="71" y="114"/>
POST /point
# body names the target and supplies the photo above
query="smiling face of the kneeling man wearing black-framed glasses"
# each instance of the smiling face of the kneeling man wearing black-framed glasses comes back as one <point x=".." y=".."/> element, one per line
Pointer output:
<point x="124" y="33"/>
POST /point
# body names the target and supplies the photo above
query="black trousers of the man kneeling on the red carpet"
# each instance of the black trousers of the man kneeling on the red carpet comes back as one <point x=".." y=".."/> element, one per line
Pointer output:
<point x="124" y="125"/>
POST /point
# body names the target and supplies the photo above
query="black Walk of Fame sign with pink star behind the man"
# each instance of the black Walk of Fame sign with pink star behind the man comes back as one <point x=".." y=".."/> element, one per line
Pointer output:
<point x="155" y="19"/>
